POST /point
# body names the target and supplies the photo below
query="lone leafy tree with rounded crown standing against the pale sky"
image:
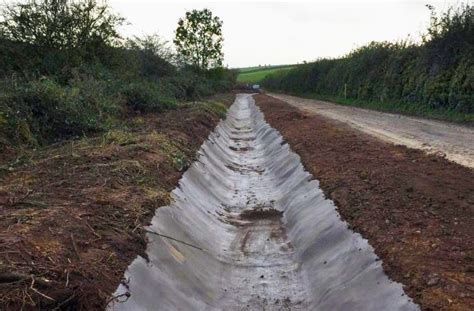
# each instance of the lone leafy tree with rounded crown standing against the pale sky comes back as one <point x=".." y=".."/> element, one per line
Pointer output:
<point x="199" y="39"/>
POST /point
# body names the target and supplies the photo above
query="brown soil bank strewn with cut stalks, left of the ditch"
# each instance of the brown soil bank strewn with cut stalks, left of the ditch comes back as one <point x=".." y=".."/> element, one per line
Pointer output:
<point x="72" y="215"/>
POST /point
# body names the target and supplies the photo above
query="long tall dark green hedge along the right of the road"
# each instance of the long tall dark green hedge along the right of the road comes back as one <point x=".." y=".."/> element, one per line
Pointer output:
<point x="433" y="78"/>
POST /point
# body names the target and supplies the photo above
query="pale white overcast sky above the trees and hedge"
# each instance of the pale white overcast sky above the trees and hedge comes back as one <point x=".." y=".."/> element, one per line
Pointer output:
<point x="272" y="32"/>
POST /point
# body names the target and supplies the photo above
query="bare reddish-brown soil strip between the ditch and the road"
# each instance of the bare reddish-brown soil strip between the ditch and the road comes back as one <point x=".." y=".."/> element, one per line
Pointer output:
<point x="416" y="210"/>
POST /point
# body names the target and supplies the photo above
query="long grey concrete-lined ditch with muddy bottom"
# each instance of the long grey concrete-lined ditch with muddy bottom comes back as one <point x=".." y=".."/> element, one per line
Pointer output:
<point x="249" y="228"/>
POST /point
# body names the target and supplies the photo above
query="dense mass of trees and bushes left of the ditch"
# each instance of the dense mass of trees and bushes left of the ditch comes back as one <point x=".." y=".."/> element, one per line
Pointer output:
<point x="65" y="72"/>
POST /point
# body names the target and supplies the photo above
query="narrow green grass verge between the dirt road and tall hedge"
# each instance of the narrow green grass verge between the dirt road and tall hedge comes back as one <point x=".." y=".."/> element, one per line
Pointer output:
<point x="399" y="107"/>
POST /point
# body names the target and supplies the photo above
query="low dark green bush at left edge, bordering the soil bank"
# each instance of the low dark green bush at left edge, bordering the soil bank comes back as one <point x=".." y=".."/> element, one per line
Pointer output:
<point x="43" y="111"/>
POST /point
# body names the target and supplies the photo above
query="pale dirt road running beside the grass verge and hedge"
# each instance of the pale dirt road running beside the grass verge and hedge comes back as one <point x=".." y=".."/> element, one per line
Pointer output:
<point x="454" y="141"/>
